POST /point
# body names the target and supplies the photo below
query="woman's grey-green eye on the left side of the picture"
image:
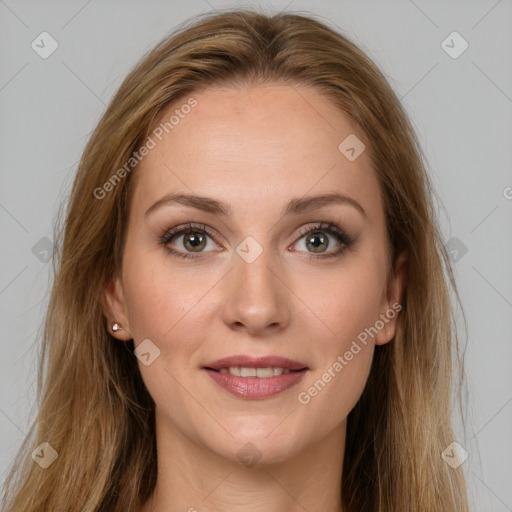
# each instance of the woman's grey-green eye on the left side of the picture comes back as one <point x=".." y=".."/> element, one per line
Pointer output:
<point x="194" y="239"/>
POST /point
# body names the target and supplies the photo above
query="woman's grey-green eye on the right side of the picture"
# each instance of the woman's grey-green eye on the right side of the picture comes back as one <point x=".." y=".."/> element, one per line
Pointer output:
<point x="317" y="239"/>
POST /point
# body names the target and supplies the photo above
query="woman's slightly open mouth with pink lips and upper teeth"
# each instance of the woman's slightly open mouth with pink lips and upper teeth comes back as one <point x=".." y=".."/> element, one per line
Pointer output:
<point x="256" y="378"/>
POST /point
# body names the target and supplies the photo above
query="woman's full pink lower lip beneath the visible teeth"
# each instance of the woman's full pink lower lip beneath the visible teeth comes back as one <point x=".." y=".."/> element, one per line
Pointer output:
<point x="254" y="388"/>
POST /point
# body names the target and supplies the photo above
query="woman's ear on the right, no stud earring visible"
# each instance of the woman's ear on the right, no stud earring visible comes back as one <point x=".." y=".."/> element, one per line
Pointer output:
<point x="391" y="302"/>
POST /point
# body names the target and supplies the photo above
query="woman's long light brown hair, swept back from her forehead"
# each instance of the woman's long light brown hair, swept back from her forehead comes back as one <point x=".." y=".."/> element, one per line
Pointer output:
<point x="93" y="407"/>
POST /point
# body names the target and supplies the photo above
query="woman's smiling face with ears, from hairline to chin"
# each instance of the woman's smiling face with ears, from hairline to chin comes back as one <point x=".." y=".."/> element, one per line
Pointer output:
<point x="286" y="257"/>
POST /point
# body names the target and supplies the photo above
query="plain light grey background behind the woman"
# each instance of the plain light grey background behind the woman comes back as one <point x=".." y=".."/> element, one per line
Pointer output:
<point x="461" y="108"/>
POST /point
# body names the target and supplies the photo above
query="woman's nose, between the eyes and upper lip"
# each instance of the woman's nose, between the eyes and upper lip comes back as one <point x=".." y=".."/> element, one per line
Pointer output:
<point x="257" y="296"/>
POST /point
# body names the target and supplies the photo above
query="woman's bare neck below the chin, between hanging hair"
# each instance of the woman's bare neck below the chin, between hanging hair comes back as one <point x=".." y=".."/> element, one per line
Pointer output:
<point x="193" y="478"/>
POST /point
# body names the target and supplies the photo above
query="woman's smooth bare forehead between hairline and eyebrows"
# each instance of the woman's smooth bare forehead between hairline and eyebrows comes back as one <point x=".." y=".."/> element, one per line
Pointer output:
<point x="258" y="143"/>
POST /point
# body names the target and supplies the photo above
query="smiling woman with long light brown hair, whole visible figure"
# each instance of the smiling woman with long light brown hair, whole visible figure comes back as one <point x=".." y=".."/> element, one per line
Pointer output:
<point x="251" y="303"/>
